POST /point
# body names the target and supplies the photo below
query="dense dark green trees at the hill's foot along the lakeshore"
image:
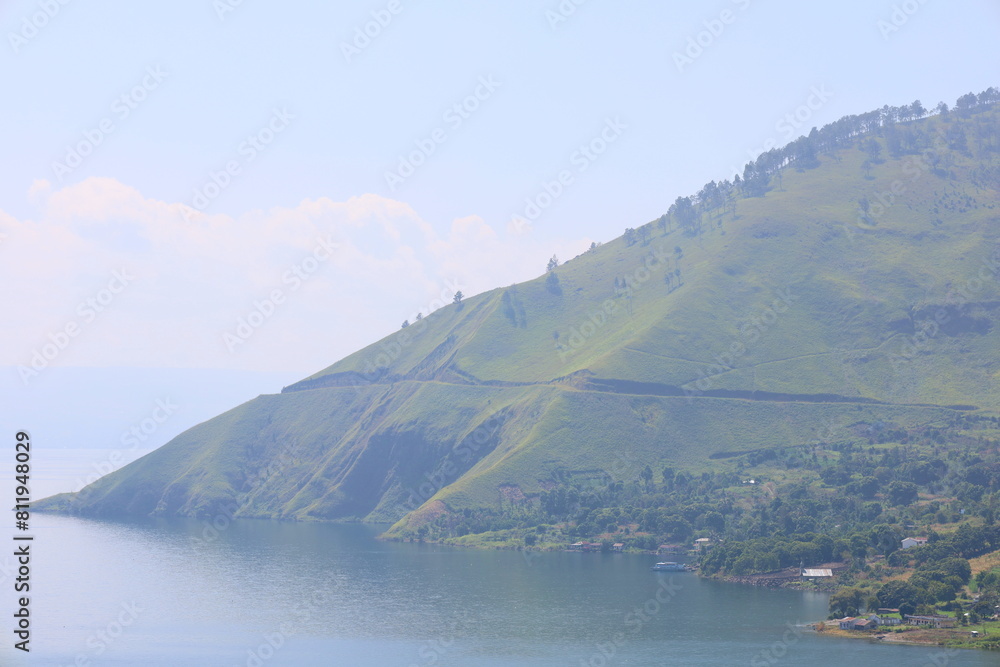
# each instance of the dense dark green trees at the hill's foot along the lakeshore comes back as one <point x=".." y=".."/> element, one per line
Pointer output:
<point x="849" y="501"/>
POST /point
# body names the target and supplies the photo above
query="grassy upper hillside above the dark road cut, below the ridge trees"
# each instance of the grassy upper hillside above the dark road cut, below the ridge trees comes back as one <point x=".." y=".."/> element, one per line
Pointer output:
<point x="854" y="292"/>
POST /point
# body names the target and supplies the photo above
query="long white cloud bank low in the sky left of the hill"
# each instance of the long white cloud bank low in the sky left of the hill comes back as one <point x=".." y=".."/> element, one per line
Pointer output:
<point x="193" y="280"/>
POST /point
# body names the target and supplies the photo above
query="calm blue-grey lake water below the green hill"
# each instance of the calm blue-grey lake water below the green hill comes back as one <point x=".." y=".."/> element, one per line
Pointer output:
<point x="266" y="593"/>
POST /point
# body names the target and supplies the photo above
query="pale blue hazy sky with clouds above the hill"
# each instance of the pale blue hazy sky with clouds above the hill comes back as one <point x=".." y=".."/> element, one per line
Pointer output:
<point x="169" y="168"/>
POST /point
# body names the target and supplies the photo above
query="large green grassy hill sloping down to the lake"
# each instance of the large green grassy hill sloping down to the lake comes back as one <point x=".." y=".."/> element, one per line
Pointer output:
<point x="849" y="278"/>
